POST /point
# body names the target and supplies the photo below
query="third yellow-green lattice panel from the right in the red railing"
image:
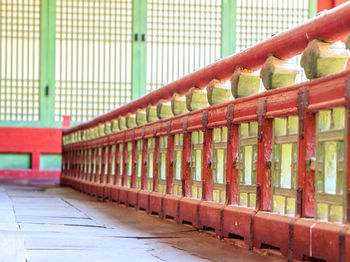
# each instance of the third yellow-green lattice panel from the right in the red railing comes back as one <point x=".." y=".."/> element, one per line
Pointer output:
<point x="247" y="163"/>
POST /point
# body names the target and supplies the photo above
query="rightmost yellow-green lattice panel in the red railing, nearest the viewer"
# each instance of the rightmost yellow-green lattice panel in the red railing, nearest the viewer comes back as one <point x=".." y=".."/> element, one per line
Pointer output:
<point x="331" y="165"/>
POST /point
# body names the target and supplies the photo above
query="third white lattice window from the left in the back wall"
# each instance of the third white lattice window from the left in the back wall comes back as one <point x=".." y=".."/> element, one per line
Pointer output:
<point x="181" y="36"/>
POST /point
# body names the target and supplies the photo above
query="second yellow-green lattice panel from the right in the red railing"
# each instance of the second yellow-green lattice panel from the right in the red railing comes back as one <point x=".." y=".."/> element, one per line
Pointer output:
<point x="285" y="165"/>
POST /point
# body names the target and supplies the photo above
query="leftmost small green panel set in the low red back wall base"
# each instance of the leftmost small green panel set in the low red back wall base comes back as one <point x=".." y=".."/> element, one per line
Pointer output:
<point x="15" y="161"/>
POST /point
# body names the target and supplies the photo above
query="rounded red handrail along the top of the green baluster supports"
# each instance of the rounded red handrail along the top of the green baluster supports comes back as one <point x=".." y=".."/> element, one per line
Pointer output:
<point x="332" y="25"/>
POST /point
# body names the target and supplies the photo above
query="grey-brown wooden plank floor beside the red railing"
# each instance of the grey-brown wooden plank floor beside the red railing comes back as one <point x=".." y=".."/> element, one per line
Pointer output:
<point x="51" y="223"/>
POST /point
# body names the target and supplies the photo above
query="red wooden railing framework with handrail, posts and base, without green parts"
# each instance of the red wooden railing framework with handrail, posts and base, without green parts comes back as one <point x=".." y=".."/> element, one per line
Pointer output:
<point x="84" y="161"/>
